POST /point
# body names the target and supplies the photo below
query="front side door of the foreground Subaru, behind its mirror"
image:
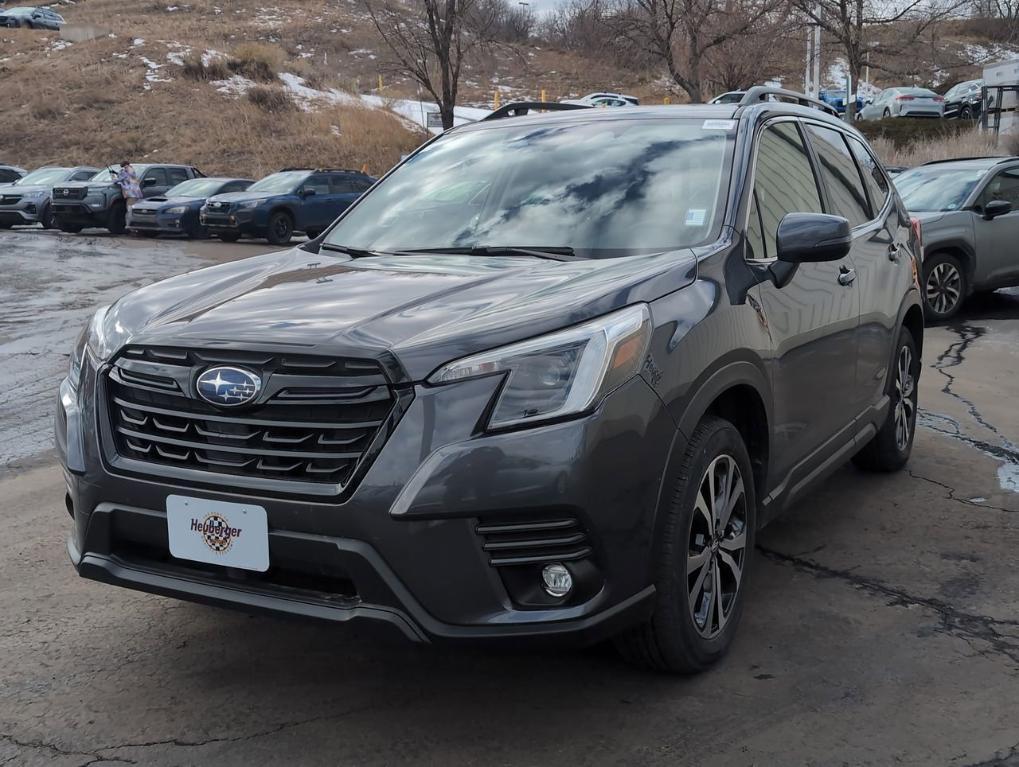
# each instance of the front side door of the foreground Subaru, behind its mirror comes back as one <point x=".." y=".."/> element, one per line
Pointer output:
<point x="813" y="319"/>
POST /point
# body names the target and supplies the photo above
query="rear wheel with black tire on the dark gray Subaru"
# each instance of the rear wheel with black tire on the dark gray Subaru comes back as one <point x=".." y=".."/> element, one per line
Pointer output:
<point x="890" y="449"/>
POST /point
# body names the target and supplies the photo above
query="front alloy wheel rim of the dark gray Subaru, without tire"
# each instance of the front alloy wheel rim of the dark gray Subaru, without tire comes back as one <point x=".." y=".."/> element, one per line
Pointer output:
<point x="718" y="546"/>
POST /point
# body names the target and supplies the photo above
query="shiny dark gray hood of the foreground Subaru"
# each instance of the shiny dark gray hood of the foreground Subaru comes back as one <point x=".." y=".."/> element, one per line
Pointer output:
<point x="426" y="310"/>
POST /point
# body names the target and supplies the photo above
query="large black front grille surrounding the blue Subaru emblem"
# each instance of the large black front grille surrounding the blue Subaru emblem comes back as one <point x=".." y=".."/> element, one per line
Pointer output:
<point x="314" y="421"/>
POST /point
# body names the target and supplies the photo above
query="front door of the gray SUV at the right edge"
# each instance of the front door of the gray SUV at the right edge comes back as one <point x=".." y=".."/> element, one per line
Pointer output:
<point x="998" y="240"/>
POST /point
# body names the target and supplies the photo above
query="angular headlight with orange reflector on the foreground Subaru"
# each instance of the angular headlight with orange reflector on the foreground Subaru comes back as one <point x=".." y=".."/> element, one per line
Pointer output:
<point x="563" y="373"/>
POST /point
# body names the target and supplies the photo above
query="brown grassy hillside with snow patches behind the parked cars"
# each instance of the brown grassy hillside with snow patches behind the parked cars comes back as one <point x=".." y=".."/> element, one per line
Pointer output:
<point x="250" y="86"/>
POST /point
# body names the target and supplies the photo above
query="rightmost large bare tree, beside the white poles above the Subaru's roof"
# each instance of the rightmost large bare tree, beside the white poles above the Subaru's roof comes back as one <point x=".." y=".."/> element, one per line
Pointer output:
<point x="855" y="27"/>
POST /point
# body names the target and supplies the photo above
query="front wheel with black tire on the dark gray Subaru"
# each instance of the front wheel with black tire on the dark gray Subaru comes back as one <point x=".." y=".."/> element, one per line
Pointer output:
<point x="674" y="640"/>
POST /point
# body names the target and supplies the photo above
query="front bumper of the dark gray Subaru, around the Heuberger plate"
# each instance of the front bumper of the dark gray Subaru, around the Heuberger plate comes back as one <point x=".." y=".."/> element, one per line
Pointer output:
<point x="404" y="551"/>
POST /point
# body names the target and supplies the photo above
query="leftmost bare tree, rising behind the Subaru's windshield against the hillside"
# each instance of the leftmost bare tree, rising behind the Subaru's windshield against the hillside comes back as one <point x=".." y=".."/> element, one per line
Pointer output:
<point x="430" y="41"/>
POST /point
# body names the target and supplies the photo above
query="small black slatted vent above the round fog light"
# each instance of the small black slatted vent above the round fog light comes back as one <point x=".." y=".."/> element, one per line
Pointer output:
<point x="560" y="539"/>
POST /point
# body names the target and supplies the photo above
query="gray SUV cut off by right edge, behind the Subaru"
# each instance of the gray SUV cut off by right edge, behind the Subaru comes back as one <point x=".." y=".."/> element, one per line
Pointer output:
<point x="970" y="215"/>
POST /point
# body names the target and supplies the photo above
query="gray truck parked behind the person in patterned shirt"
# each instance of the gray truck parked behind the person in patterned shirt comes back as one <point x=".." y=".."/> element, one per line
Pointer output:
<point x="99" y="202"/>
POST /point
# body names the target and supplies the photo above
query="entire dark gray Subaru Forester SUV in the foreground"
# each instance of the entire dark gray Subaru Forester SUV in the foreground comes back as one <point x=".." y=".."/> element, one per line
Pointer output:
<point x="546" y="380"/>
